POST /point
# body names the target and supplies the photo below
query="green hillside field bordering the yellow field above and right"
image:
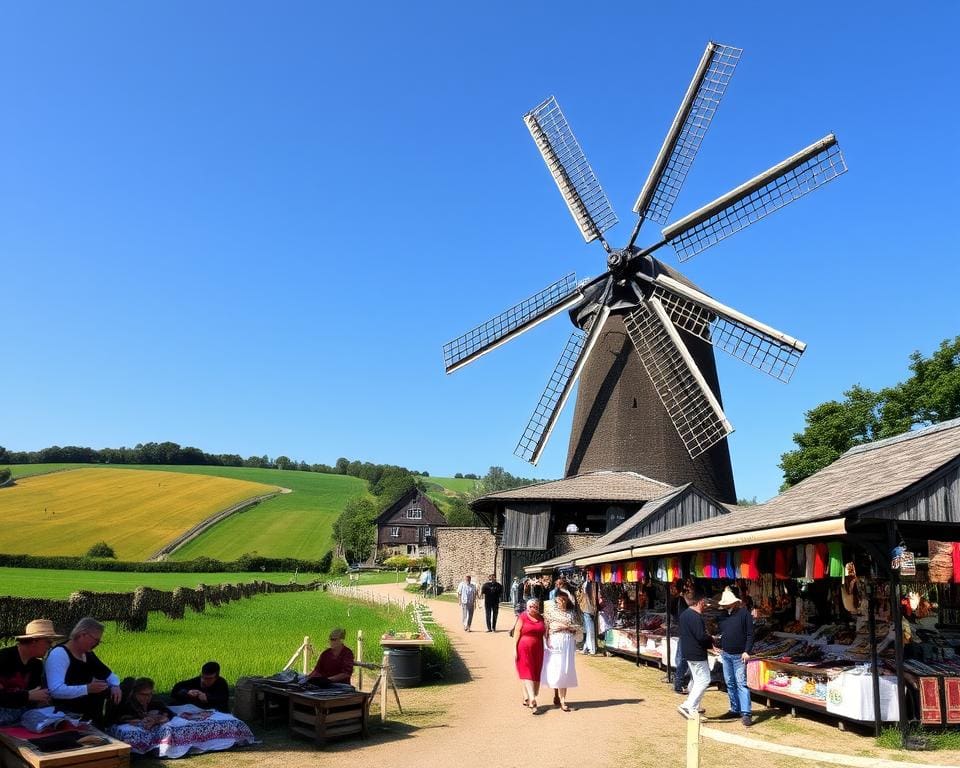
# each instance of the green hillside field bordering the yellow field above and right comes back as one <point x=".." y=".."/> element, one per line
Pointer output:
<point x="297" y="524"/>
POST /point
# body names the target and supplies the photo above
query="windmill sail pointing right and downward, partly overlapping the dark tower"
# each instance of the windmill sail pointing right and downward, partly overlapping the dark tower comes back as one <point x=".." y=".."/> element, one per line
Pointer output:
<point x="746" y="339"/>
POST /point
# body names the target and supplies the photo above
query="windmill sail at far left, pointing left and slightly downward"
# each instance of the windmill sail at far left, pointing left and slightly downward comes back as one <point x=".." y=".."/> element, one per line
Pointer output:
<point x="553" y="299"/>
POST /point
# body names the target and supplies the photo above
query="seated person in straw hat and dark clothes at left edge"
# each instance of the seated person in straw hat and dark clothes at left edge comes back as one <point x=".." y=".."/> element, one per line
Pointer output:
<point x="21" y="669"/>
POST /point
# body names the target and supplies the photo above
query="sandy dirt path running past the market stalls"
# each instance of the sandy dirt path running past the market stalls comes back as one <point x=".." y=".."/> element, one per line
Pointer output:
<point x="622" y="715"/>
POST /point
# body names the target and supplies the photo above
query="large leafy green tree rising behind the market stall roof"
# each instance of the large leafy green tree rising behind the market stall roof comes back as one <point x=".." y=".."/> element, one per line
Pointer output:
<point x="930" y="395"/>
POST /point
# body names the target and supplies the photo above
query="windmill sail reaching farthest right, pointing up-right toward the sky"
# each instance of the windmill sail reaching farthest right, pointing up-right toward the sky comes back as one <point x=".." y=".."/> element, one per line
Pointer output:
<point x="762" y="195"/>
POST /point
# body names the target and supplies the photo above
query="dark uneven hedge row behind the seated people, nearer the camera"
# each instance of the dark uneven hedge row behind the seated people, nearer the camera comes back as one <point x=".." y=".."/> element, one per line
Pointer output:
<point x="128" y="609"/>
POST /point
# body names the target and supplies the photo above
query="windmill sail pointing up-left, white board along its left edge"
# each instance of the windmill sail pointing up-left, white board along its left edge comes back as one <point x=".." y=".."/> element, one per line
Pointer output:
<point x="581" y="191"/>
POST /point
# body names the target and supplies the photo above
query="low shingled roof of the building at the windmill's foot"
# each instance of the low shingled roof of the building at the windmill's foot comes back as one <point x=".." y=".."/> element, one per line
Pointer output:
<point x="602" y="486"/>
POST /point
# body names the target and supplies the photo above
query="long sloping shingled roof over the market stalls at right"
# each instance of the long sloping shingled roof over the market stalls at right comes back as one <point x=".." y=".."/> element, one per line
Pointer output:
<point x="860" y="478"/>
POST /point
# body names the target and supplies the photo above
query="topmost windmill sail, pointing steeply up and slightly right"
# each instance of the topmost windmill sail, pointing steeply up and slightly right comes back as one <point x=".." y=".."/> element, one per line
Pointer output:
<point x="690" y="125"/>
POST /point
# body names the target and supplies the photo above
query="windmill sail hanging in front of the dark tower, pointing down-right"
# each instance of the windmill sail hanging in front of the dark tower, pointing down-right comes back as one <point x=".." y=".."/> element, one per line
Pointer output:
<point x="693" y="408"/>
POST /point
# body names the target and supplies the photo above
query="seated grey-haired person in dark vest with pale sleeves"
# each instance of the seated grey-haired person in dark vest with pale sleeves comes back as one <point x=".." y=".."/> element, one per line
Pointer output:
<point x="78" y="681"/>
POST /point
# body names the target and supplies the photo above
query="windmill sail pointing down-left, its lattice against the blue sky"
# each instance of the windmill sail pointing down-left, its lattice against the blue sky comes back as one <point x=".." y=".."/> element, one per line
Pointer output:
<point x="558" y="389"/>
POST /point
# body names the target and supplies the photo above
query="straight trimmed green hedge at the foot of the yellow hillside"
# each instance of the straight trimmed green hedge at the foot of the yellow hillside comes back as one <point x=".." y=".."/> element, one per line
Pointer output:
<point x="246" y="563"/>
